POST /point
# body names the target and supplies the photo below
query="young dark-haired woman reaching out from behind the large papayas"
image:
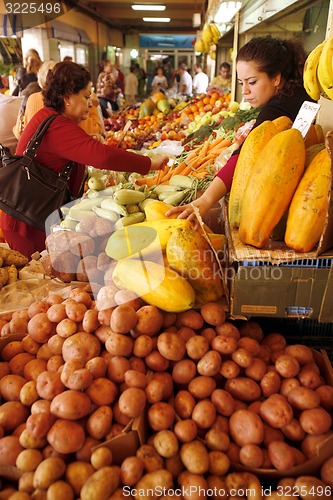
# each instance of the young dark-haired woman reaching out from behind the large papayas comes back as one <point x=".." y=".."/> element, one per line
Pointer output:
<point x="270" y="72"/>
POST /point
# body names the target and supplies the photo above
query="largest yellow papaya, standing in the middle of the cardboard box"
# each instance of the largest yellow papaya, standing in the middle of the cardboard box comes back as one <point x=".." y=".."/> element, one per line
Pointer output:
<point x="271" y="186"/>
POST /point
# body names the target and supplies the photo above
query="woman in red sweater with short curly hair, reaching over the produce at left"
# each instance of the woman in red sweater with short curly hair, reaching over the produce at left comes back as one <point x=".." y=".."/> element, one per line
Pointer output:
<point x="67" y="92"/>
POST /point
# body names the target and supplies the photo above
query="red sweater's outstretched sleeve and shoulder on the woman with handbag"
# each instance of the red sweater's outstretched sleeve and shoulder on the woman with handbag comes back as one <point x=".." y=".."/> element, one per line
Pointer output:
<point x="65" y="141"/>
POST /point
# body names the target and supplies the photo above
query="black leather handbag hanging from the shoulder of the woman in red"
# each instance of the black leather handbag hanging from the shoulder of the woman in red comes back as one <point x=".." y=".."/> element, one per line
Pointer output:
<point x="30" y="192"/>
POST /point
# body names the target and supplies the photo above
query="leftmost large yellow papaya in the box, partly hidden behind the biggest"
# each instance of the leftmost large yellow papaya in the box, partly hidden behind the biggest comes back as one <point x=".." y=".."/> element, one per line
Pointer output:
<point x="251" y="149"/>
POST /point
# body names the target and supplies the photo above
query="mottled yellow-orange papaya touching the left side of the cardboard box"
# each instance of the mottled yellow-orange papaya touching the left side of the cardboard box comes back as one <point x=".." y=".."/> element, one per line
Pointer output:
<point x="190" y="255"/>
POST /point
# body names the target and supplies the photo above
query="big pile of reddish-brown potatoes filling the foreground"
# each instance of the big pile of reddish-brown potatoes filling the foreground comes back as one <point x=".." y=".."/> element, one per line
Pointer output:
<point x="216" y="394"/>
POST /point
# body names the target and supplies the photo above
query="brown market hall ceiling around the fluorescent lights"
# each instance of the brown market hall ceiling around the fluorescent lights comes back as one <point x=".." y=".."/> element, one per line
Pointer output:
<point x="119" y="14"/>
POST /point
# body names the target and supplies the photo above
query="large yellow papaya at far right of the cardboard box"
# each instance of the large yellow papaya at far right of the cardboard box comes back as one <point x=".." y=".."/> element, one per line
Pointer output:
<point x="308" y="209"/>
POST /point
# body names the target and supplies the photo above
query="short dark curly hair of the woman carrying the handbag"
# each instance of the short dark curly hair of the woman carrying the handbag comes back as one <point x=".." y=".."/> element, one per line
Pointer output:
<point x="64" y="79"/>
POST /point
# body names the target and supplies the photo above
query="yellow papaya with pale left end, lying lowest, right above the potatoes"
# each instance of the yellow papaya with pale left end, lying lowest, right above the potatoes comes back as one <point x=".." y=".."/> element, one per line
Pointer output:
<point x="155" y="284"/>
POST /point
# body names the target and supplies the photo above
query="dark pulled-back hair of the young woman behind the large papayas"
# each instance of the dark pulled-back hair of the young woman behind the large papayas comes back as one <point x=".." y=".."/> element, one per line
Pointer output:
<point x="274" y="56"/>
